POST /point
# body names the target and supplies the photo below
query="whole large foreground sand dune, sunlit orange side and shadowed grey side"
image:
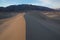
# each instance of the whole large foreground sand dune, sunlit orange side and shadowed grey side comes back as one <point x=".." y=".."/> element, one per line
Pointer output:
<point x="29" y="26"/>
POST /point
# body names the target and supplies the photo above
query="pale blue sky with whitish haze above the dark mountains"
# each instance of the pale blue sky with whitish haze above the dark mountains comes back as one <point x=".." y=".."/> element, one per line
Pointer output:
<point x="47" y="3"/>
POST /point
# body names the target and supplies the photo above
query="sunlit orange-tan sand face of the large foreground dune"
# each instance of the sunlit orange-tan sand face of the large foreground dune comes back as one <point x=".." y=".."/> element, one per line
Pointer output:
<point x="15" y="28"/>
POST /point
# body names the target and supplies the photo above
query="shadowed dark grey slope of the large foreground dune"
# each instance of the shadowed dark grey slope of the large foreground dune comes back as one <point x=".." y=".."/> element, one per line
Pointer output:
<point x="40" y="29"/>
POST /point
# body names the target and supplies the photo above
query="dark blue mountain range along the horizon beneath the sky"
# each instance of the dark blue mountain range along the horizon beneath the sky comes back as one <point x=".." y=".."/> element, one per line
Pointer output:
<point x="24" y="7"/>
